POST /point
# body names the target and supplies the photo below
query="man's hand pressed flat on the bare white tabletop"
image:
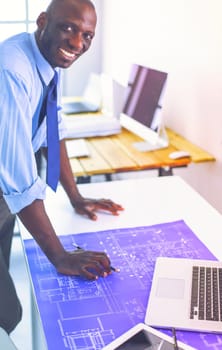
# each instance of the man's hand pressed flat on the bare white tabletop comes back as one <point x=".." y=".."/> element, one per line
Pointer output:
<point x="88" y="206"/>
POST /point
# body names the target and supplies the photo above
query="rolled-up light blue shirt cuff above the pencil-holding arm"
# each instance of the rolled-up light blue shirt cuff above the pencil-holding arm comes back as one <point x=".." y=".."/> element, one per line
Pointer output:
<point x="17" y="201"/>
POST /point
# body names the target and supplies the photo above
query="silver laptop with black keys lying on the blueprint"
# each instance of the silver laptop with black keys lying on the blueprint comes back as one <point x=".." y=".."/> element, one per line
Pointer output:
<point x="186" y="294"/>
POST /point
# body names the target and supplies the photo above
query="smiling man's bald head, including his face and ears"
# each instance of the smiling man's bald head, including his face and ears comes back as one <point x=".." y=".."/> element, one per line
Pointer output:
<point x="65" y="33"/>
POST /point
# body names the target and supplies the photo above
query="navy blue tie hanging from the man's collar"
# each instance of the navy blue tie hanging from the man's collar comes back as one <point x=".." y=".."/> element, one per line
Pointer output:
<point x="53" y="155"/>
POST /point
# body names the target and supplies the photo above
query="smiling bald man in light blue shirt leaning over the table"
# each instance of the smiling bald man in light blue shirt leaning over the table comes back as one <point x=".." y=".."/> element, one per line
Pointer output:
<point x="28" y="63"/>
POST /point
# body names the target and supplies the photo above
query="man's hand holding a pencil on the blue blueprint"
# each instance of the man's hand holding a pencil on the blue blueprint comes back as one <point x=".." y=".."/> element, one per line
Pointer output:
<point x="88" y="264"/>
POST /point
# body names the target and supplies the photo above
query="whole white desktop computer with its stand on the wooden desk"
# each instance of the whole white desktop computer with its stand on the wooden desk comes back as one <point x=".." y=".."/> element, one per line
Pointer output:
<point x="142" y="111"/>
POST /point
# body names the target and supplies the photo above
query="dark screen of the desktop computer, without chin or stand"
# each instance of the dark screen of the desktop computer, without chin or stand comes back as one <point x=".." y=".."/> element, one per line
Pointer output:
<point x="144" y="94"/>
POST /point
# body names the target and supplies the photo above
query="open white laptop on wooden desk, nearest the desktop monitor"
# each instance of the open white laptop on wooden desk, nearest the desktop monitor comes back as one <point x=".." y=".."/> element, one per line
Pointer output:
<point x="104" y="123"/>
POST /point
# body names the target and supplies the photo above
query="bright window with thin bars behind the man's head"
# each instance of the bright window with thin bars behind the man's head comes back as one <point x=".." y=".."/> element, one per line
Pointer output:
<point x="20" y="16"/>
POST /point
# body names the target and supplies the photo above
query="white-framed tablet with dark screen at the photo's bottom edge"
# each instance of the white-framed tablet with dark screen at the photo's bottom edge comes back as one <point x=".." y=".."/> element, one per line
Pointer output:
<point x="143" y="337"/>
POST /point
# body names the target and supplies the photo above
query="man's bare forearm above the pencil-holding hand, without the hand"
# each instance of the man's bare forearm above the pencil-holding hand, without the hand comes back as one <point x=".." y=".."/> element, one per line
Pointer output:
<point x="36" y="221"/>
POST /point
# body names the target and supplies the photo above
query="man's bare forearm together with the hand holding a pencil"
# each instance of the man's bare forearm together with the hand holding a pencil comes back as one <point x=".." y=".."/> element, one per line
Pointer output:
<point x="79" y="262"/>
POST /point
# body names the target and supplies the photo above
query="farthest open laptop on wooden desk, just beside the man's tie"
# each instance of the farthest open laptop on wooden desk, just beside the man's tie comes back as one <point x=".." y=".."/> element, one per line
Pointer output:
<point x="90" y="101"/>
